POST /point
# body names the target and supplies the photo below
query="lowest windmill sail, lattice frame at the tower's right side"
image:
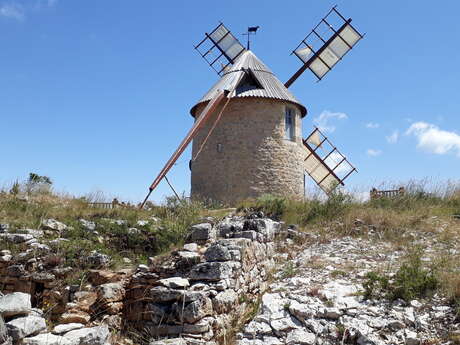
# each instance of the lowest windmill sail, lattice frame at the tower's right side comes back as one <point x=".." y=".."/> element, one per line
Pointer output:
<point x="324" y="163"/>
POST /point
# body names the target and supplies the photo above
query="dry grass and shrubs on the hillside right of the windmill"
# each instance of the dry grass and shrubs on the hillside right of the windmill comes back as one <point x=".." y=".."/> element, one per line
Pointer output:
<point x="405" y="221"/>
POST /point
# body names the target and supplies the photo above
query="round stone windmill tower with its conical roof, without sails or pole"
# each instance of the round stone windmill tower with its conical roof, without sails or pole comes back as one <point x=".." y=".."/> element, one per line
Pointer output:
<point x="256" y="148"/>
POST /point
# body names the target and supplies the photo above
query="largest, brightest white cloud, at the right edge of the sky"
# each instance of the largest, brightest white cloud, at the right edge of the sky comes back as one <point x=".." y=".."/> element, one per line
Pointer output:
<point x="432" y="139"/>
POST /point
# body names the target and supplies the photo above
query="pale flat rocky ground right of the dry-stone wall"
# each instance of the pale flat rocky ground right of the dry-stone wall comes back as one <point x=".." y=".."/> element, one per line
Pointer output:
<point x="317" y="298"/>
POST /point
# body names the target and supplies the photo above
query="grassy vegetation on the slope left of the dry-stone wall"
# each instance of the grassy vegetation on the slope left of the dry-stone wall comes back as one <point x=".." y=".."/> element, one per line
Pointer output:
<point x="115" y="240"/>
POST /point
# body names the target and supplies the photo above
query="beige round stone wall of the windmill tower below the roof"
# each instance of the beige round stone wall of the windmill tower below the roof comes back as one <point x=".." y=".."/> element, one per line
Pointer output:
<point x="247" y="155"/>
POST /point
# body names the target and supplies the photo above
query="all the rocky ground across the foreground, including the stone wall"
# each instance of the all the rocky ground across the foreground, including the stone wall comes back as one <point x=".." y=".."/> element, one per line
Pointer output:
<point x="314" y="296"/>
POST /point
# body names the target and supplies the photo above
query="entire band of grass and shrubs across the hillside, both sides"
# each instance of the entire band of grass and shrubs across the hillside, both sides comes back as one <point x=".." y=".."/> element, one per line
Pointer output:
<point x="118" y="232"/>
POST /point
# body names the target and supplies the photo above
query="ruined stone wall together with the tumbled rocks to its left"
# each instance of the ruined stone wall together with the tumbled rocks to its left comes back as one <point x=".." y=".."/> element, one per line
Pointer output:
<point x="195" y="296"/>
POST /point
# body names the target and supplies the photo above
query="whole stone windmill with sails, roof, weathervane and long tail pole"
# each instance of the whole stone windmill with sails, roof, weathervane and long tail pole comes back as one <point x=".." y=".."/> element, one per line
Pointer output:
<point x="247" y="135"/>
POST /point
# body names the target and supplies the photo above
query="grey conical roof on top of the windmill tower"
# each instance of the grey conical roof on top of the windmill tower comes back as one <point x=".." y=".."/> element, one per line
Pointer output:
<point x="271" y="87"/>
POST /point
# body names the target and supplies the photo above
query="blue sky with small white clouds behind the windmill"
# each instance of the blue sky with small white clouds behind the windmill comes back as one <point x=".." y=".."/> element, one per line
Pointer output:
<point x="96" y="94"/>
